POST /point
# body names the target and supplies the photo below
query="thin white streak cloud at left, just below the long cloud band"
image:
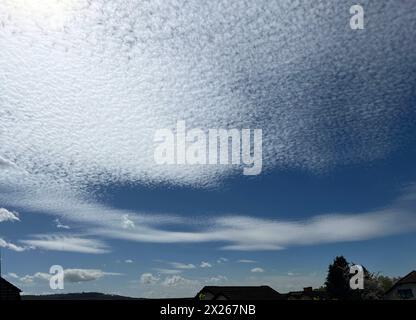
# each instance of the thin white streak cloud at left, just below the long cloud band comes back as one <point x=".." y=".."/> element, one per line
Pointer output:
<point x="67" y="243"/>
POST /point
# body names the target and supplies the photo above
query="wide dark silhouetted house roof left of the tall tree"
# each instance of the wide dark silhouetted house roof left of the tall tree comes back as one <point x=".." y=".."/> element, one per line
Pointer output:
<point x="243" y="293"/>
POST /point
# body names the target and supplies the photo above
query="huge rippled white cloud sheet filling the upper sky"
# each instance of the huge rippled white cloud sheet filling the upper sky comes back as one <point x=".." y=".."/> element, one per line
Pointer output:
<point x="85" y="139"/>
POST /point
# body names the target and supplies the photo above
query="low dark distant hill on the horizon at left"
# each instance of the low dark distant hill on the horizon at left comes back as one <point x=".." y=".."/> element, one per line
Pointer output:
<point x="78" y="296"/>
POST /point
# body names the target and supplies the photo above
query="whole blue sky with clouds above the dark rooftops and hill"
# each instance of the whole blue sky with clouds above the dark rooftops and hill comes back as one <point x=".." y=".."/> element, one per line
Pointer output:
<point x="84" y="86"/>
